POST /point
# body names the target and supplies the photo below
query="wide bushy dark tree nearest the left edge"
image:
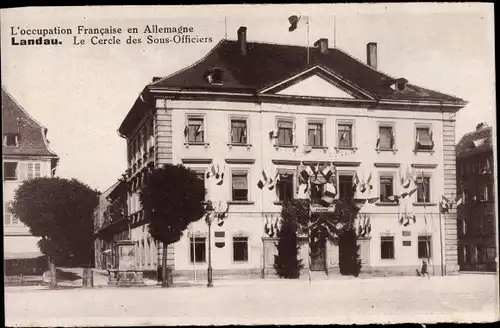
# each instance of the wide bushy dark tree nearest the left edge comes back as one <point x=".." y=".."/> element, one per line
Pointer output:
<point x="60" y="212"/>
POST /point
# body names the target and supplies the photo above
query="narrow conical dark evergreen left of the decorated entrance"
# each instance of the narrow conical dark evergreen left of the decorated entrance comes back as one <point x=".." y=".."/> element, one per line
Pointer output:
<point x="286" y="263"/>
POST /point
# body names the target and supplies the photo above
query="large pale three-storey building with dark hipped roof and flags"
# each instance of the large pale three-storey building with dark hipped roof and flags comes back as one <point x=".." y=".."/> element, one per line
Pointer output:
<point x="248" y="106"/>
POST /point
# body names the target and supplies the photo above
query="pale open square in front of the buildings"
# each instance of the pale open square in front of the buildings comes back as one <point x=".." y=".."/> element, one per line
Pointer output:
<point x="398" y="299"/>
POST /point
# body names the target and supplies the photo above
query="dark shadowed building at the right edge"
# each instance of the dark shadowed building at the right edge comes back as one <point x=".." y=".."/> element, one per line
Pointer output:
<point x="476" y="216"/>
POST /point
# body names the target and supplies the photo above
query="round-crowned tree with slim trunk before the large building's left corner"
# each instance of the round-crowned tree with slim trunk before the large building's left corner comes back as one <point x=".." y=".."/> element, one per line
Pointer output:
<point x="171" y="198"/>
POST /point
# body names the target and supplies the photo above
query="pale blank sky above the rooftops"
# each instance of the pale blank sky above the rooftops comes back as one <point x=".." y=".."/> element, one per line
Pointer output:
<point x="82" y="93"/>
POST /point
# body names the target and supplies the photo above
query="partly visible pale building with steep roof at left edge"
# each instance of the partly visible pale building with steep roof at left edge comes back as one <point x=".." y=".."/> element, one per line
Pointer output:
<point x="25" y="155"/>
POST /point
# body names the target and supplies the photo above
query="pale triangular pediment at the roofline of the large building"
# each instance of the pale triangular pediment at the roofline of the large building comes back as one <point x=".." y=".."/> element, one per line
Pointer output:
<point x="315" y="86"/>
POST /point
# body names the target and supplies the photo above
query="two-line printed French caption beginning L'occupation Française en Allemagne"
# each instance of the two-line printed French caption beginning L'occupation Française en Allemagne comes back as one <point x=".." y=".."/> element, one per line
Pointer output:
<point x="106" y="35"/>
